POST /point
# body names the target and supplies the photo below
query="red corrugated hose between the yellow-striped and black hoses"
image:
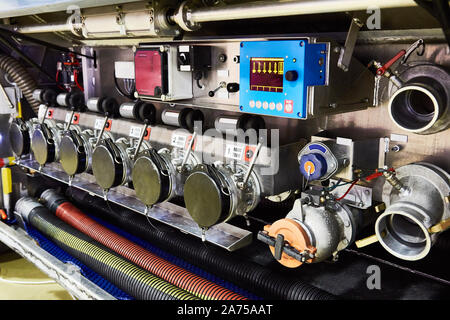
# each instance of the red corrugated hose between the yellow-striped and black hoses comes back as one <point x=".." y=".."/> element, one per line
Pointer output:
<point x="173" y="274"/>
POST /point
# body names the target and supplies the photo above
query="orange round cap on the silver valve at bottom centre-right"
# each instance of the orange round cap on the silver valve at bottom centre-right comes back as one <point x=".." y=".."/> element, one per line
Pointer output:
<point x="294" y="235"/>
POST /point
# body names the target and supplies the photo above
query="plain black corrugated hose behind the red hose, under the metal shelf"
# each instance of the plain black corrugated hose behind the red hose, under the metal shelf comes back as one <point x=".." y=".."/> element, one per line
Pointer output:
<point x="265" y="282"/>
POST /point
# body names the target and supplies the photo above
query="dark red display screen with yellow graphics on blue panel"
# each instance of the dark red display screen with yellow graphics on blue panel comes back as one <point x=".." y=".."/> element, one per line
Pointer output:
<point x="266" y="74"/>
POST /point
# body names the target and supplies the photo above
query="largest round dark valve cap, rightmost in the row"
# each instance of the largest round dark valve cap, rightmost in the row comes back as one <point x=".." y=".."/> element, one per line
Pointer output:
<point x="204" y="199"/>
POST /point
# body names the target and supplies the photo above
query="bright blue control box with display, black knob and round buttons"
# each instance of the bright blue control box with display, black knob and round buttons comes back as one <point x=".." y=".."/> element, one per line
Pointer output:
<point x="267" y="90"/>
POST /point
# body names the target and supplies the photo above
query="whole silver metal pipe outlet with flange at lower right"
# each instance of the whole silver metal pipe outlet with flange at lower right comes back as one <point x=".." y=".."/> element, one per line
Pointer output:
<point x="403" y="229"/>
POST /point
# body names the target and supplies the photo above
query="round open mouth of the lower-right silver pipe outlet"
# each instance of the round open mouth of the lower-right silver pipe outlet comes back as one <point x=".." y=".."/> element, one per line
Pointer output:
<point x="403" y="235"/>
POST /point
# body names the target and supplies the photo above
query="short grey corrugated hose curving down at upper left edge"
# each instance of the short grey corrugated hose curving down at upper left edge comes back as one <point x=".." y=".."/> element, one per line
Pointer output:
<point x="20" y="76"/>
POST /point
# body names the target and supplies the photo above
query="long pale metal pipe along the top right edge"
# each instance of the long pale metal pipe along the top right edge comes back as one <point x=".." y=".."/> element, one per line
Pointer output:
<point x="271" y="9"/>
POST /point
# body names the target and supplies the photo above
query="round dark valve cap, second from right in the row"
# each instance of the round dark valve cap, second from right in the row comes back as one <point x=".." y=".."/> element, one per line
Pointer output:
<point x="150" y="184"/>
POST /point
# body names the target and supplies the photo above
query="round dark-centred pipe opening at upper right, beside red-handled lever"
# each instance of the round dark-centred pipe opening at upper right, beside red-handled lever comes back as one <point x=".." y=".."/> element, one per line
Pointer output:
<point x="414" y="108"/>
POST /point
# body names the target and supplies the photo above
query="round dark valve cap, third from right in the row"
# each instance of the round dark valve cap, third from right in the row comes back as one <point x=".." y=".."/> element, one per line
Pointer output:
<point x="107" y="166"/>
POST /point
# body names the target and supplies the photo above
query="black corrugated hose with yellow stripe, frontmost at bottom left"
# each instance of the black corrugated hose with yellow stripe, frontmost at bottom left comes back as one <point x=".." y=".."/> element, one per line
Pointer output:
<point x="125" y="275"/>
